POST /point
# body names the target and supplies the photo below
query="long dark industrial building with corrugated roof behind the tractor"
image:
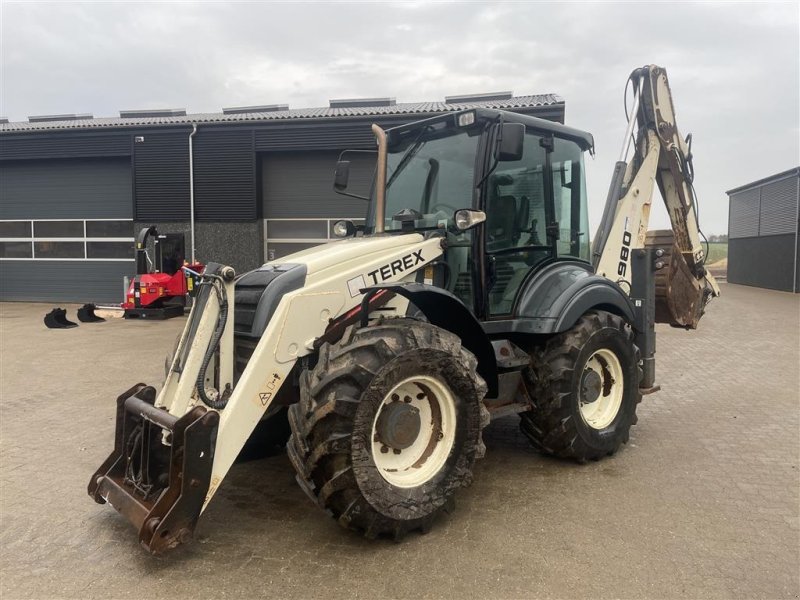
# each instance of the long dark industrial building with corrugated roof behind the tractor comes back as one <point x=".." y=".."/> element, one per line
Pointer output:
<point x="254" y="183"/>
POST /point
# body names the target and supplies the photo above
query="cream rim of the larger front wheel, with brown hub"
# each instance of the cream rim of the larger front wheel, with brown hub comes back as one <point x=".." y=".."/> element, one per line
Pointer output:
<point x="417" y="416"/>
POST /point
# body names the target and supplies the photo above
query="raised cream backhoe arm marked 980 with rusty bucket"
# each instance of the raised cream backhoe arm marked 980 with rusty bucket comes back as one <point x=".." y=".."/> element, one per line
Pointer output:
<point x="660" y="156"/>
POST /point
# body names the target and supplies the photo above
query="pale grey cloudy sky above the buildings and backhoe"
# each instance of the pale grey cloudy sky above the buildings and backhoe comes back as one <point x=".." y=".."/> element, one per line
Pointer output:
<point x="734" y="68"/>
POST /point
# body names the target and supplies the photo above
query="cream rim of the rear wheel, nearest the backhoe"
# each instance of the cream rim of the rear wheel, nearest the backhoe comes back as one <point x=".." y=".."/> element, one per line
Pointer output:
<point x="601" y="389"/>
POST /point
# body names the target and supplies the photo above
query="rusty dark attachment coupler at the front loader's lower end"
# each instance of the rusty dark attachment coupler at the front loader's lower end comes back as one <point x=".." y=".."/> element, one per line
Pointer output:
<point x="159" y="488"/>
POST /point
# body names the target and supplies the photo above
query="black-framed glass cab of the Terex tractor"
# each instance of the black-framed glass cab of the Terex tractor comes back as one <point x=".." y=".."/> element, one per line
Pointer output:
<point x="507" y="190"/>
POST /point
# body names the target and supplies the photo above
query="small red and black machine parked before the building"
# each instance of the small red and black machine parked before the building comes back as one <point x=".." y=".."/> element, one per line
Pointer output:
<point x="160" y="287"/>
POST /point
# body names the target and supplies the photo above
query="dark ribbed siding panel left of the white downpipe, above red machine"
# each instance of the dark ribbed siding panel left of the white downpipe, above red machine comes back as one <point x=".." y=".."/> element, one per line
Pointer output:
<point x="161" y="176"/>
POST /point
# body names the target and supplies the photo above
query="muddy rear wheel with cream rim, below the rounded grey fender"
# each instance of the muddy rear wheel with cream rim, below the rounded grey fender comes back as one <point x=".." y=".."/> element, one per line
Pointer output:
<point x="585" y="389"/>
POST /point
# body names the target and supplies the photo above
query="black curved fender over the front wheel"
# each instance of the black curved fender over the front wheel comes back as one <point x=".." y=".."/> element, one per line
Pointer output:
<point x="445" y="310"/>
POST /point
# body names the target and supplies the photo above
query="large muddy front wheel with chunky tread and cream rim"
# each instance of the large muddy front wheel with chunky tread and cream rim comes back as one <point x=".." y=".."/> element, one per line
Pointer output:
<point x="388" y="426"/>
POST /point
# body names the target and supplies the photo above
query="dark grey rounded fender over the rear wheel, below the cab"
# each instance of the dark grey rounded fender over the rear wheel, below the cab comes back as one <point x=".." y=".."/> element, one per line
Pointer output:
<point x="554" y="298"/>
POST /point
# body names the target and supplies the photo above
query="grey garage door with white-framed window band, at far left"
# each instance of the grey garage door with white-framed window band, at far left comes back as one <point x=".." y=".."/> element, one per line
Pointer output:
<point x="66" y="229"/>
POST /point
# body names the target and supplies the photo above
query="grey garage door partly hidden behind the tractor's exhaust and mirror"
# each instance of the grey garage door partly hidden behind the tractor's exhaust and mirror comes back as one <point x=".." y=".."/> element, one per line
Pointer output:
<point x="298" y="201"/>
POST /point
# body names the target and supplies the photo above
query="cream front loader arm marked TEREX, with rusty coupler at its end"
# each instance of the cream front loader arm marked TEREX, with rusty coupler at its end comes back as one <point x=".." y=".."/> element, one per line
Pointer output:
<point x="173" y="451"/>
